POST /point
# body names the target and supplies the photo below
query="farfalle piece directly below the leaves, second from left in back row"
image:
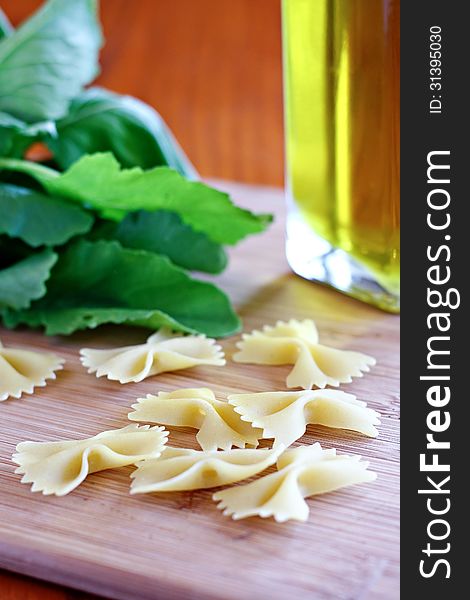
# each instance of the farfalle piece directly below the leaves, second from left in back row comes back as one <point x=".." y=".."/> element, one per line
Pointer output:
<point x="163" y="351"/>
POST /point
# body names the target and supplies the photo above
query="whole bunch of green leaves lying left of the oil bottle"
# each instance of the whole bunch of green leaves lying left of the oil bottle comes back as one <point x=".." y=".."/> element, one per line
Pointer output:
<point x="108" y="230"/>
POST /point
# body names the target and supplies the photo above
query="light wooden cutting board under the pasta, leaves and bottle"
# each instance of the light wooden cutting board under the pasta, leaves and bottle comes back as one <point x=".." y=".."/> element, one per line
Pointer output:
<point x="178" y="545"/>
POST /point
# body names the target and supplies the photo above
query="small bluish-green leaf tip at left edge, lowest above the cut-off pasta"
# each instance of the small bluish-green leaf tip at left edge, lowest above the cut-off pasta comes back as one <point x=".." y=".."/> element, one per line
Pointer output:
<point x="25" y="281"/>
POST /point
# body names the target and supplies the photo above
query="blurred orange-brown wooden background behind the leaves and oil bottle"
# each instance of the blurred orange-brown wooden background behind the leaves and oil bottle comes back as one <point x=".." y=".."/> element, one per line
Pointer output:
<point x="212" y="68"/>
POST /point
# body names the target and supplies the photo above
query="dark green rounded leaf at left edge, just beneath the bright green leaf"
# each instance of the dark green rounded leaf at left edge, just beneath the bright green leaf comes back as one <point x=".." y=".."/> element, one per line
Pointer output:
<point x="38" y="219"/>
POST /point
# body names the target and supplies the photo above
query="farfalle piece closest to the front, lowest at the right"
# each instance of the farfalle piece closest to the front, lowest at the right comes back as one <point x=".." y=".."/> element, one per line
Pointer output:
<point x="302" y="472"/>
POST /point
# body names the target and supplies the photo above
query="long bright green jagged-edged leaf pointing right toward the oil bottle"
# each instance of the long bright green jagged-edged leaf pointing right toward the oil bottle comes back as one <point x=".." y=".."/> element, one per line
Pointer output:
<point x="98" y="181"/>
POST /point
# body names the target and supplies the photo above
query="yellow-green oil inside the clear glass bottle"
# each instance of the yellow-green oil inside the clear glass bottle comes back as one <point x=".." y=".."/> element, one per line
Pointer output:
<point x="341" y="78"/>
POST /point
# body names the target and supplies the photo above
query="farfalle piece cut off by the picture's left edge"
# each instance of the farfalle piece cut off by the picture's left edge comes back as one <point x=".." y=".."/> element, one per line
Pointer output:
<point x="23" y="370"/>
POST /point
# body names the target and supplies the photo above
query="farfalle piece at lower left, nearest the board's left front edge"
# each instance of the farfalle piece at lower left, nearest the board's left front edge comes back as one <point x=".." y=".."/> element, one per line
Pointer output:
<point x="59" y="467"/>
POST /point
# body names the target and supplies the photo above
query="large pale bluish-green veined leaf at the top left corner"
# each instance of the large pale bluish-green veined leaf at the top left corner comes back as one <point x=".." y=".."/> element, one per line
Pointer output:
<point x="48" y="59"/>
